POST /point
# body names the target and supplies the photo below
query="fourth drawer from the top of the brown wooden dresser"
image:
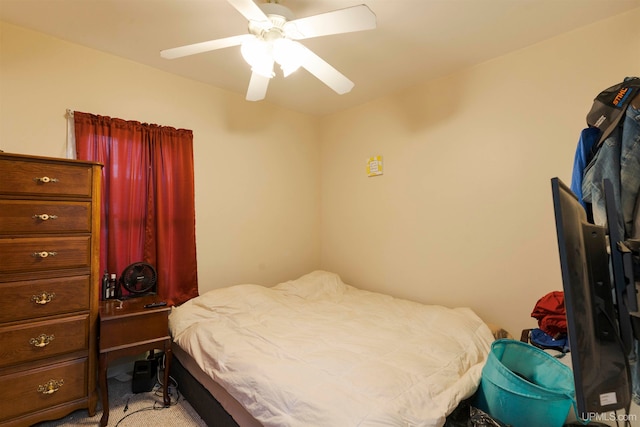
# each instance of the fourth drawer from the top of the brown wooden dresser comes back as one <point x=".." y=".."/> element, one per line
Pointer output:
<point x="45" y="297"/>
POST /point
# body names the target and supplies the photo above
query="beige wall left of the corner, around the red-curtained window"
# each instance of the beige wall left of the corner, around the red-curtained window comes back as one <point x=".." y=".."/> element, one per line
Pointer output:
<point x="256" y="165"/>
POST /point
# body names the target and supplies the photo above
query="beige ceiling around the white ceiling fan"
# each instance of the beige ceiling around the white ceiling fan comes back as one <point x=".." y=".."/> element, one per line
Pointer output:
<point x="415" y="40"/>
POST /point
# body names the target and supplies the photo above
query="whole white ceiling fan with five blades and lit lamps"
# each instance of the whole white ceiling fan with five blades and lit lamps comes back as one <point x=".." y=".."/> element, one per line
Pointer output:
<point x="273" y="38"/>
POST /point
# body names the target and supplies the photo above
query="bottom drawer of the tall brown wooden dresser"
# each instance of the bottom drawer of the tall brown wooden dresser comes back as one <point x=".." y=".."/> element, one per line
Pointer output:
<point x="30" y="391"/>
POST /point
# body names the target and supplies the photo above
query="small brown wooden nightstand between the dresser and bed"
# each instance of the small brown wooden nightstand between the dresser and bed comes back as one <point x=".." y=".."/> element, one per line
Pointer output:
<point x="128" y="329"/>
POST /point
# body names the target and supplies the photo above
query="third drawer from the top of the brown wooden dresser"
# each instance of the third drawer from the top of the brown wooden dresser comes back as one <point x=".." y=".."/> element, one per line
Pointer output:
<point x="44" y="253"/>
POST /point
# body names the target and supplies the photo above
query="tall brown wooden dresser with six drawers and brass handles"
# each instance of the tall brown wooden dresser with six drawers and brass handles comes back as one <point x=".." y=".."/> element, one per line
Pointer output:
<point x="49" y="287"/>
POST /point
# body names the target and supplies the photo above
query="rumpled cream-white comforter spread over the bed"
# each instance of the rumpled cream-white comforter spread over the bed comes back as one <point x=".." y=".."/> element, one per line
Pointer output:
<point x="317" y="352"/>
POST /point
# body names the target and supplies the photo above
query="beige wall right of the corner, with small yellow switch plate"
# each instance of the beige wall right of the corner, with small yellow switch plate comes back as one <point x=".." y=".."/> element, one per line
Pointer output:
<point x="463" y="213"/>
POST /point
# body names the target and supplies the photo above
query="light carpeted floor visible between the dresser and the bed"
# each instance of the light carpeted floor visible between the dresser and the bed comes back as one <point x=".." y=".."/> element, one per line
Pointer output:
<point x="127" y="409"/>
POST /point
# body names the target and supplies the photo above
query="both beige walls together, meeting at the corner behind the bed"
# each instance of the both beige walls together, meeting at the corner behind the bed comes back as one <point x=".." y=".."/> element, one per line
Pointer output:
<point x="461" y="216"/>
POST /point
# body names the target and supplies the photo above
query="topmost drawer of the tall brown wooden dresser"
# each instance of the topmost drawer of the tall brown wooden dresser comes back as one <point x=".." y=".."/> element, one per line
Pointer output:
<point x="40" y="178"/>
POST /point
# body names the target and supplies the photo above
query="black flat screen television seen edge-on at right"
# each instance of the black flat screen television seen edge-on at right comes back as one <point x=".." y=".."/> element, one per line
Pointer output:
<point x="598" y="356"/>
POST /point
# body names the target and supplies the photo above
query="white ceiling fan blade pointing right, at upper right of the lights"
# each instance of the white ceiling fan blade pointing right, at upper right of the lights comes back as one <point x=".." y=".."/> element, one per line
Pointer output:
<point x="356" y="18"/>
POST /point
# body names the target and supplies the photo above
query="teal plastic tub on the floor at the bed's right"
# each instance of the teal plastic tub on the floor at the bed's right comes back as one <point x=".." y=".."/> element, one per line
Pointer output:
<point x="523" y="386"/>
